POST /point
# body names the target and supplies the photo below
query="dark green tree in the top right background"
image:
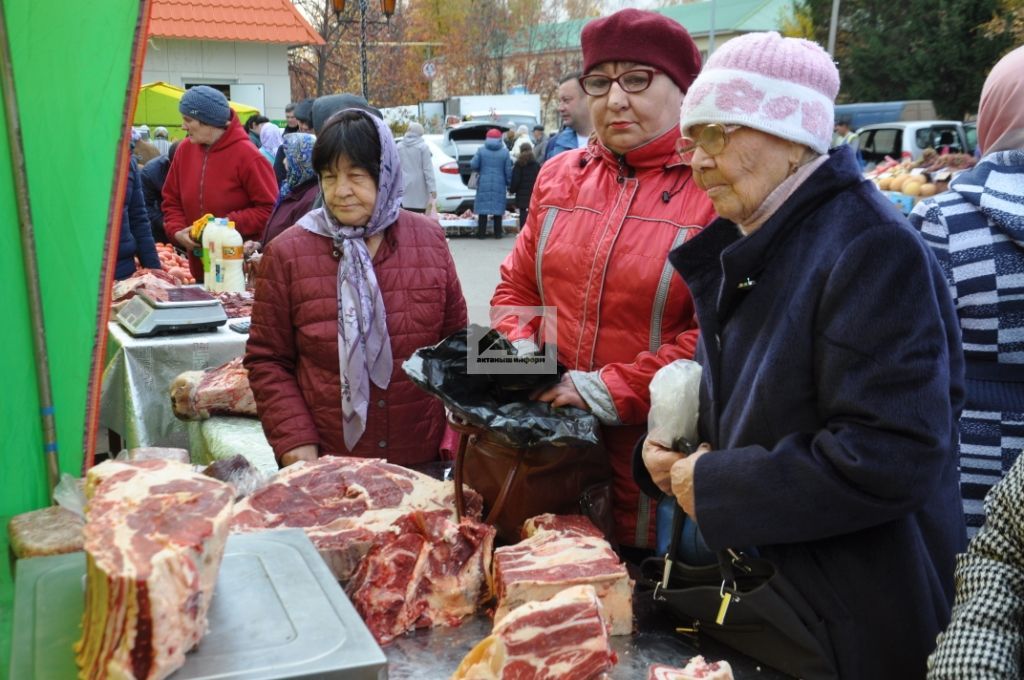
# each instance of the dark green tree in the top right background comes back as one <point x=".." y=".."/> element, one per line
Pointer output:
<point x="917" y="50"/>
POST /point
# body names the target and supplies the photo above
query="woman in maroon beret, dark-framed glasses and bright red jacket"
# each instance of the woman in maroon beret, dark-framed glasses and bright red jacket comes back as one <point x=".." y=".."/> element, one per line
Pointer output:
<point x="603" y="221"/>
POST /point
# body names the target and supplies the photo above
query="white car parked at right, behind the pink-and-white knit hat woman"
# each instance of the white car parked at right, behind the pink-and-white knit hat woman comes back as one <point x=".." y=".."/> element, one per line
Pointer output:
<point x="909" y="141"/>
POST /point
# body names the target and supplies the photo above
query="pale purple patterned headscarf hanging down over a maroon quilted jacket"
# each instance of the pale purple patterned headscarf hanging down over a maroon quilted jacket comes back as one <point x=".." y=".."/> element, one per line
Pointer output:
<point x="364" y="344"/>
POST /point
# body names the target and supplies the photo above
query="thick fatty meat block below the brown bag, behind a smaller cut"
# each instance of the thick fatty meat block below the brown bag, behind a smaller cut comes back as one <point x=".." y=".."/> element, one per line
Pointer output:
<point x="563" y="552"/>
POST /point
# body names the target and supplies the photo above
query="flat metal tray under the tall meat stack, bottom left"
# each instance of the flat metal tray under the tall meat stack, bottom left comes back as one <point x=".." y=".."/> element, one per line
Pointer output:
<point x="277" y="613"/>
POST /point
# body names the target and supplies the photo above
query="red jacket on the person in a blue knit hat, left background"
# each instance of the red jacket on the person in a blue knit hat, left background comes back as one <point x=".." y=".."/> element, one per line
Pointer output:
<point x="229" y="179"/>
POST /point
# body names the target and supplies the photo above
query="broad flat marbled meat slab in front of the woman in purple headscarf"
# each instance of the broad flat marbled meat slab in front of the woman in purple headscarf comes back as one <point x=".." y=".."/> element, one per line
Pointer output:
<point x="347" y="505"/>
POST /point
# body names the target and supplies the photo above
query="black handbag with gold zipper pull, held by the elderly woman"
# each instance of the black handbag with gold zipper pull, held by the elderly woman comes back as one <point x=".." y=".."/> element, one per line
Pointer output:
<point x="746" y="604"/>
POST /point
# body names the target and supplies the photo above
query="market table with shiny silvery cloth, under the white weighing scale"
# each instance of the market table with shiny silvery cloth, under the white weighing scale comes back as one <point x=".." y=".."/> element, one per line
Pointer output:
<point x="136" y="400"/>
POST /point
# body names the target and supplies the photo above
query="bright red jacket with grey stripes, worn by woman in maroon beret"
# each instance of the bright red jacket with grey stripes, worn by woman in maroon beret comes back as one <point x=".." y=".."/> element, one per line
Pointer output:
<point x="595" y="247"/>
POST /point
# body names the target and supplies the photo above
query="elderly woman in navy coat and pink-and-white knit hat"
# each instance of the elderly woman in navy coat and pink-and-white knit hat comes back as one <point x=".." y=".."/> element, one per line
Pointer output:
<point x="832" y="365"/>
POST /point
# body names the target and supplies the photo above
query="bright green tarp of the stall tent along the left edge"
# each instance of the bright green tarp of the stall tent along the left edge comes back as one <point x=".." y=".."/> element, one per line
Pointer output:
<point x="72" y="66"/>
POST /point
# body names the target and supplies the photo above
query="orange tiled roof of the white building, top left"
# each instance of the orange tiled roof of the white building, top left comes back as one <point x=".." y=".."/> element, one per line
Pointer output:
<point x="243" y="21"/>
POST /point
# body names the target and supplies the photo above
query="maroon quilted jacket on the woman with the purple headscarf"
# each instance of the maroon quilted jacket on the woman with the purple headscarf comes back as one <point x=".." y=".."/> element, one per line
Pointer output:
<point x="292" y="355"/>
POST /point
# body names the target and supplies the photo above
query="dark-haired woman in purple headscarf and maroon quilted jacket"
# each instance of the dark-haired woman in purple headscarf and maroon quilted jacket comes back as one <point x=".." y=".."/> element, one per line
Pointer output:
<point x="344" y="299"/>
